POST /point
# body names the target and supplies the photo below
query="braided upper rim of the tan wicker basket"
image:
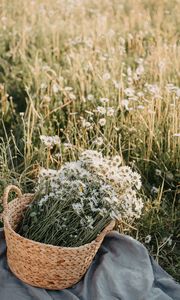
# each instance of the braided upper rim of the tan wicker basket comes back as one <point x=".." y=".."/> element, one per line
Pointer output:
<point x="108" y="228"/>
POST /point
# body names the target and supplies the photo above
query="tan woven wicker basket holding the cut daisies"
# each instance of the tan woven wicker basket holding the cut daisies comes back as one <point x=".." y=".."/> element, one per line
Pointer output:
<point x="39" y="264"/>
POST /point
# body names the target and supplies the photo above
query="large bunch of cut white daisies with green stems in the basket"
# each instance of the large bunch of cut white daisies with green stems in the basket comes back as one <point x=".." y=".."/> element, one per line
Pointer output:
<point x="74" y="204"/>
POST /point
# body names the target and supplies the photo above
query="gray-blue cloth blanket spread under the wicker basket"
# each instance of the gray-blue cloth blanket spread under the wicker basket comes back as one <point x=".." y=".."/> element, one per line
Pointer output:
<point x="122" y="269"/>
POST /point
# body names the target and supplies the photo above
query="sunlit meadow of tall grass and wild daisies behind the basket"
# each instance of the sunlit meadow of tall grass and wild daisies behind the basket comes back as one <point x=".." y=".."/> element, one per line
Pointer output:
<point x="102" y="75"/>
